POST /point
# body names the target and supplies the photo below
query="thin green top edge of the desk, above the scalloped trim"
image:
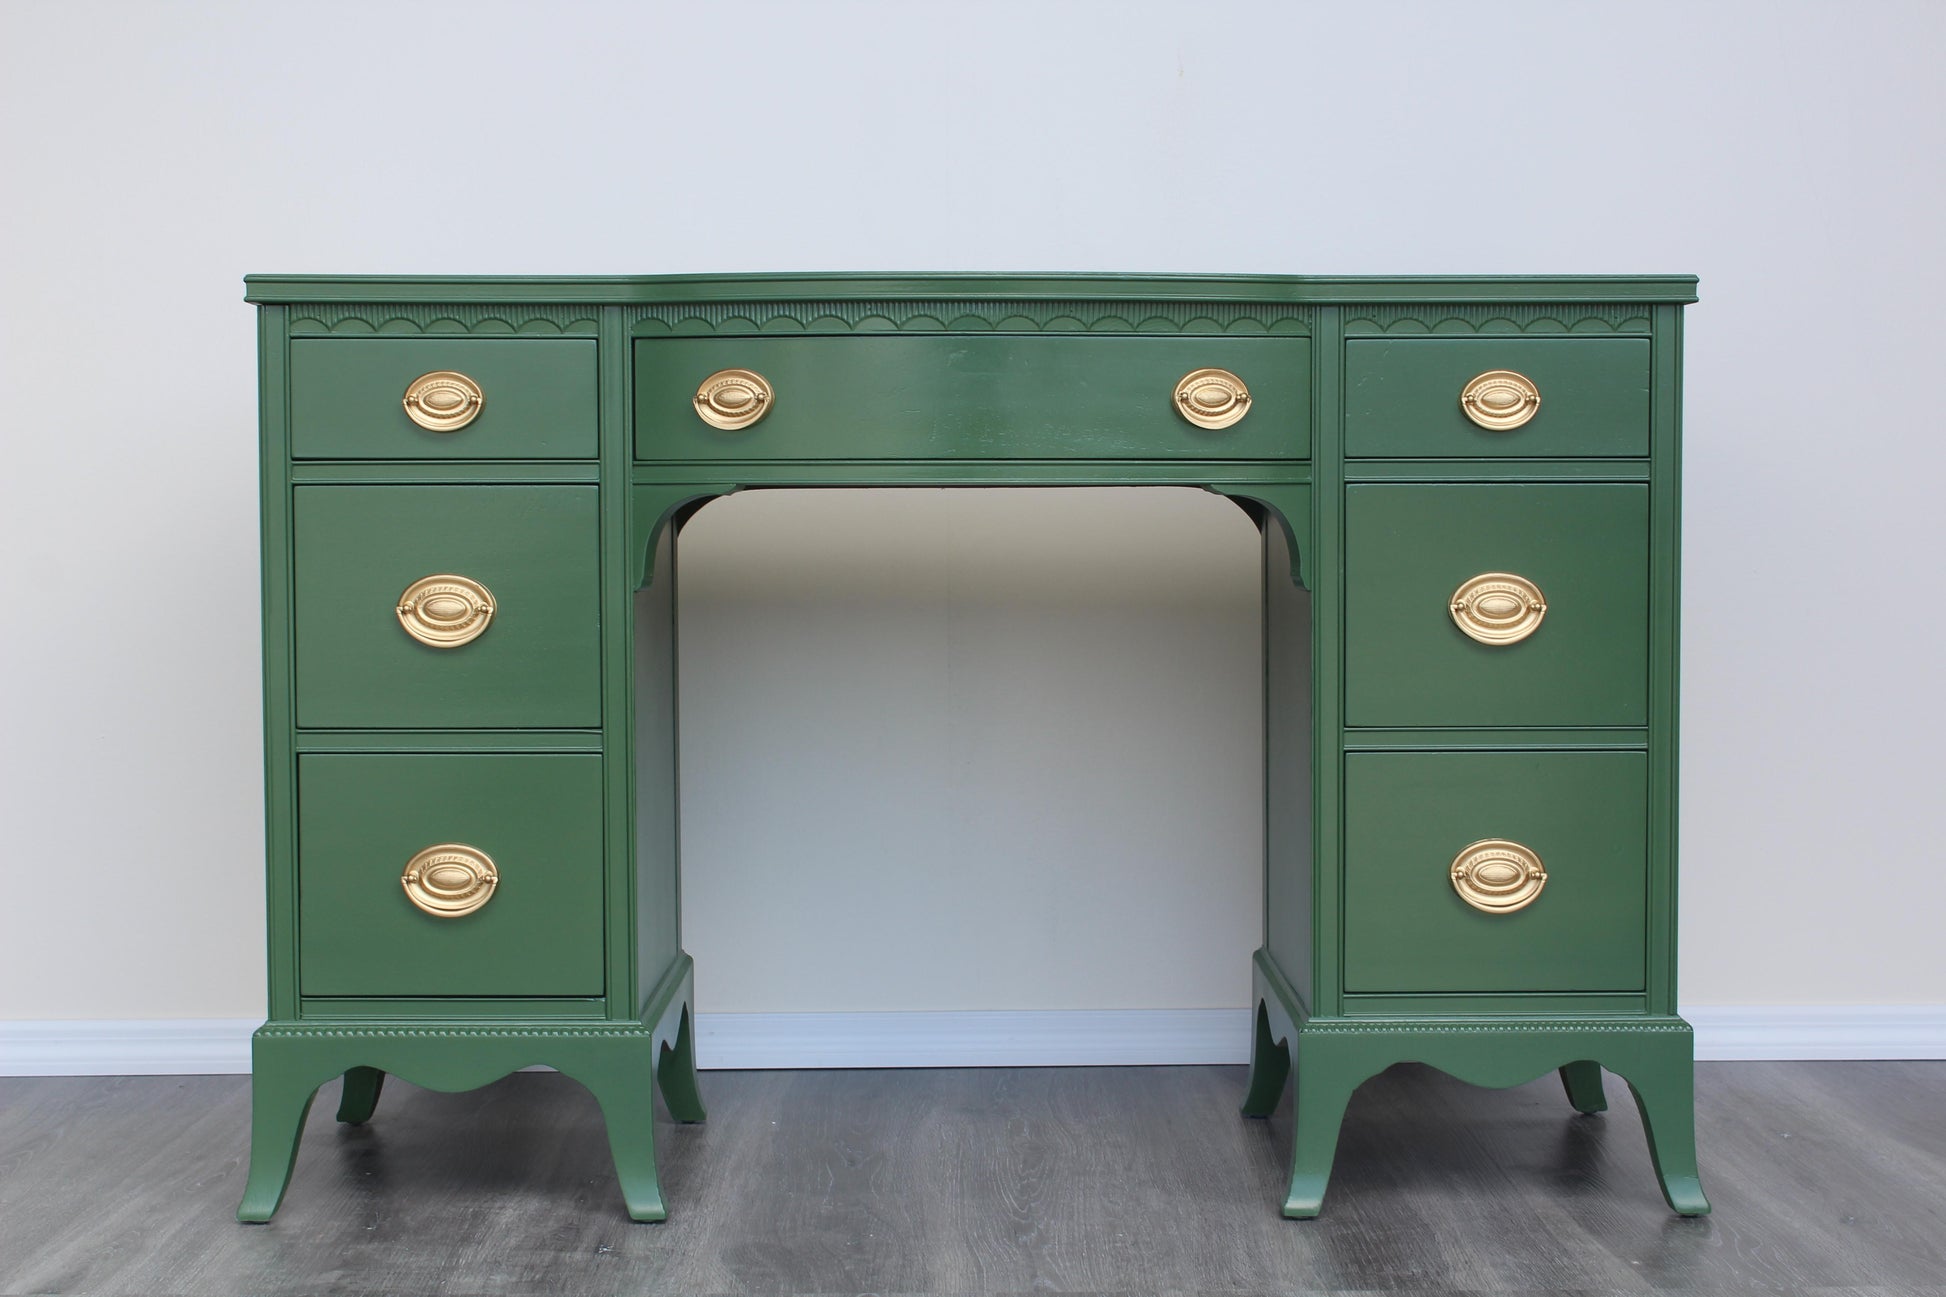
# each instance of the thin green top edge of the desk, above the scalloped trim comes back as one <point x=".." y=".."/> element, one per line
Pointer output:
<point x="1272" y="289"/>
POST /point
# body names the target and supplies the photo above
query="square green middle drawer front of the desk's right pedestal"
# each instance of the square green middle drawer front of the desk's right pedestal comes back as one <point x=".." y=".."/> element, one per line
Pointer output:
<point x="1412" y="548"/>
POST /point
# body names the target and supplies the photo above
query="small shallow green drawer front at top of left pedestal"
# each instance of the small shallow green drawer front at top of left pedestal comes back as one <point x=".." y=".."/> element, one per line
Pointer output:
<point x="347" y="398"/>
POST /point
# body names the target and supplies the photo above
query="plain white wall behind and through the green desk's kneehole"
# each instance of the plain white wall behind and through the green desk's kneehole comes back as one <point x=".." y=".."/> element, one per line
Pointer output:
<point x="155" y="153"/>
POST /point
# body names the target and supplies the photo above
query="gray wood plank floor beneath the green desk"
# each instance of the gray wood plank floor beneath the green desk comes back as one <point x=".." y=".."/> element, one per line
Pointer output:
<point x="1826" y="1177"/>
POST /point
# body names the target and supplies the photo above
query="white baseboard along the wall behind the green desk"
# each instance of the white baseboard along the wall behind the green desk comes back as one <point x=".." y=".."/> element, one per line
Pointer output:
<point x="999" y="1039"/>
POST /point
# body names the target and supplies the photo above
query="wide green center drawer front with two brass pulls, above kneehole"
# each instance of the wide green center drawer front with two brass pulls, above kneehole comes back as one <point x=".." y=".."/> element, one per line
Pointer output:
<point x="974" y="398"/>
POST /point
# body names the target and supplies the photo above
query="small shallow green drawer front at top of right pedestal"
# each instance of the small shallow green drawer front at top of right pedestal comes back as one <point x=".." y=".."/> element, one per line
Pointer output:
<point x="1402" y="398"/>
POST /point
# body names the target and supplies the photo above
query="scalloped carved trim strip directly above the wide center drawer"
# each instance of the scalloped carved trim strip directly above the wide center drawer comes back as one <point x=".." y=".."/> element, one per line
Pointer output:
<point x="968" y="316"/>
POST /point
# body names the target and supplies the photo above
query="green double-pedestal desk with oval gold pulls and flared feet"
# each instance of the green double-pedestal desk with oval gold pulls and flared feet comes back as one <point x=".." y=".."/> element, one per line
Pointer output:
<point x="472" y="501"/>
